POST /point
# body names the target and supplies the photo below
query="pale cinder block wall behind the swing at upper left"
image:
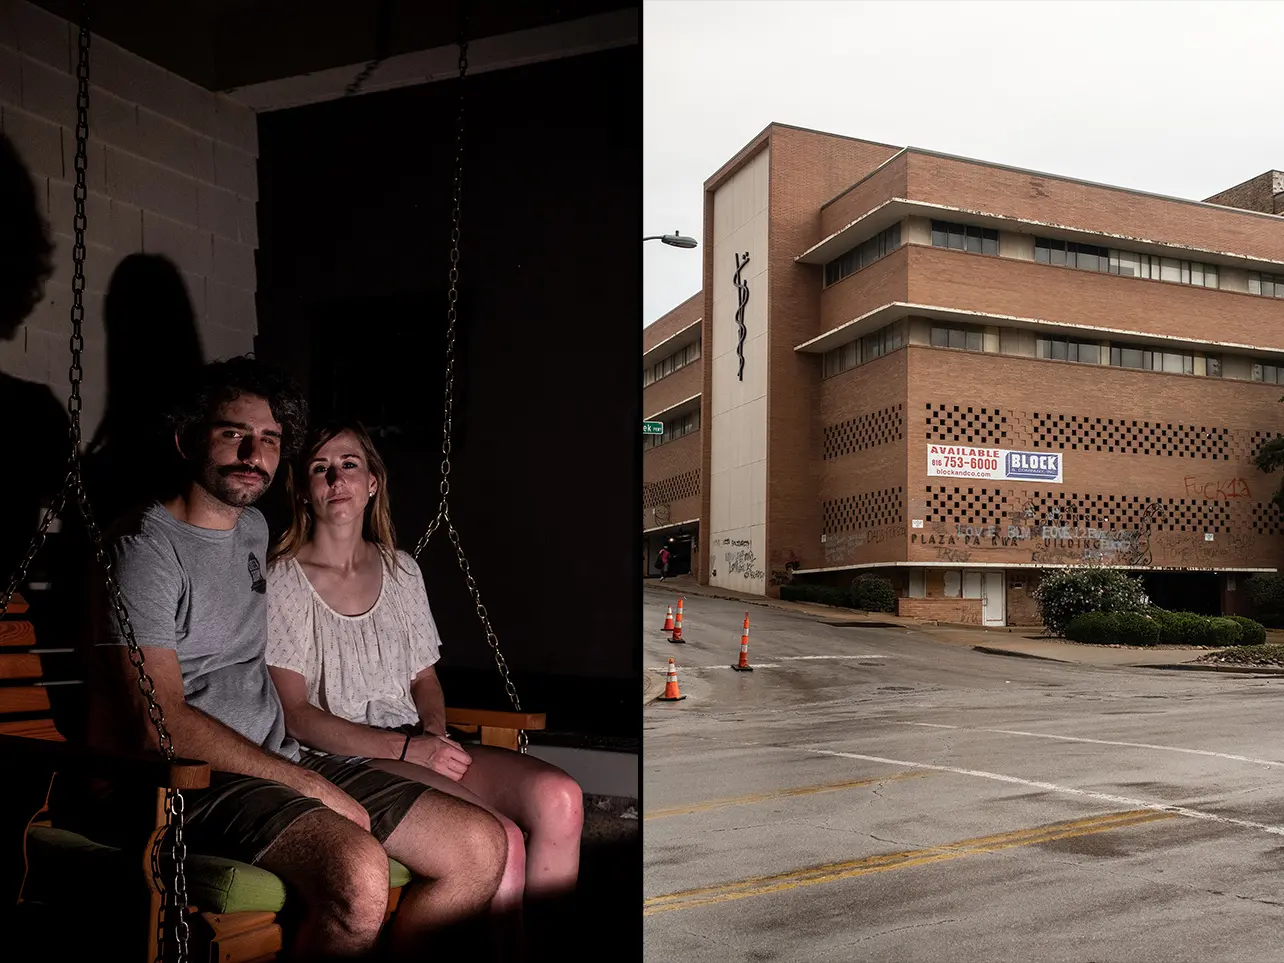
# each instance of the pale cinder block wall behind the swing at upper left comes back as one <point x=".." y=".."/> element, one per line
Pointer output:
<point x="173" y="171"/>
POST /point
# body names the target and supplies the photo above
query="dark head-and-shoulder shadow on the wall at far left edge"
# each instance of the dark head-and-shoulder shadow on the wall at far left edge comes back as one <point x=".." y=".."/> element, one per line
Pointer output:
<point x="39" y="437"/>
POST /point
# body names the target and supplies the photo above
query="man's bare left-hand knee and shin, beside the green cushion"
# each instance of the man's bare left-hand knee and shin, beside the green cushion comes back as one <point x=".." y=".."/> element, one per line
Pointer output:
<point x="342" y="875"/>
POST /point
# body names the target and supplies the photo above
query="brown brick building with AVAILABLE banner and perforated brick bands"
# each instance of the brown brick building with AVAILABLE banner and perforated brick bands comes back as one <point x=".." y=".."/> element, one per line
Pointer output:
<point x="951" y="373"/>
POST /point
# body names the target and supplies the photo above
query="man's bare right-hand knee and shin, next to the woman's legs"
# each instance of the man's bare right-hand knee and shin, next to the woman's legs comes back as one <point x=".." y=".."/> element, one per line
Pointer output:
<point x="459" y="852"/>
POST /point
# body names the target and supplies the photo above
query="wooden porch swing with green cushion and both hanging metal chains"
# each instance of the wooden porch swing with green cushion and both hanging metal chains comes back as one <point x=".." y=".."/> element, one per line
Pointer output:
<point x="200" y="907"/>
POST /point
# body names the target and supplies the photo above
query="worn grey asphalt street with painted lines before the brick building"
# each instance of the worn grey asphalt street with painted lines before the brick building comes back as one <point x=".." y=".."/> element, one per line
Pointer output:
<point x="876" y="794"/>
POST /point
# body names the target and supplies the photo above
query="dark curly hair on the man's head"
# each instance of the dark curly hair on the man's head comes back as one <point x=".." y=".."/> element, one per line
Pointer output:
<point x="223" y="382"/>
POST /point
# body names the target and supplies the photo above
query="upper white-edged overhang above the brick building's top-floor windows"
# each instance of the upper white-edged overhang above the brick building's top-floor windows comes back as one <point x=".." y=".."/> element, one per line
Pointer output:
<point x="897" y="209"/>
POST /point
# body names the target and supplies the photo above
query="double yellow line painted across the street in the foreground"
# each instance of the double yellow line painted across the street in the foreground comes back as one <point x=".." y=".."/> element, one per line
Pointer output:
<point x="761" y="885"/>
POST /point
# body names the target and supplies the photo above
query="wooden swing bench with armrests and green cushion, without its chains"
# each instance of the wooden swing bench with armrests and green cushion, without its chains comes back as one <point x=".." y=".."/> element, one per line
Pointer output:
<point x="56" y="872"/>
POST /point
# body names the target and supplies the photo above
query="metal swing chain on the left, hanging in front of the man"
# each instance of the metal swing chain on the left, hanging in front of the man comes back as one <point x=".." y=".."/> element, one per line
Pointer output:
<point x="75" y="483"/>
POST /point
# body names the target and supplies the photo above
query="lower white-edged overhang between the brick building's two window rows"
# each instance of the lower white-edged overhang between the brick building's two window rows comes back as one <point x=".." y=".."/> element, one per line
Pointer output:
<point x="897" y="310"/>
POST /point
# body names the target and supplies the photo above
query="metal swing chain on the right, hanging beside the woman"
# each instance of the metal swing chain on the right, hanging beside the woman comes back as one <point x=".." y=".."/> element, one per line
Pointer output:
<point x="444" y="510"/>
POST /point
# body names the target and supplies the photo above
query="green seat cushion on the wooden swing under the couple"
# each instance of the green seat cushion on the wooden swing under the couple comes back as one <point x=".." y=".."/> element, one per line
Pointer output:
<point x="216" y="885"/>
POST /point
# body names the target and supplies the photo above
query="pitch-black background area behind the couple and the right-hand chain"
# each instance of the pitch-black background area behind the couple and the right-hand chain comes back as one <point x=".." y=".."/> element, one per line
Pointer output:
<point x="355" y="221"/>
